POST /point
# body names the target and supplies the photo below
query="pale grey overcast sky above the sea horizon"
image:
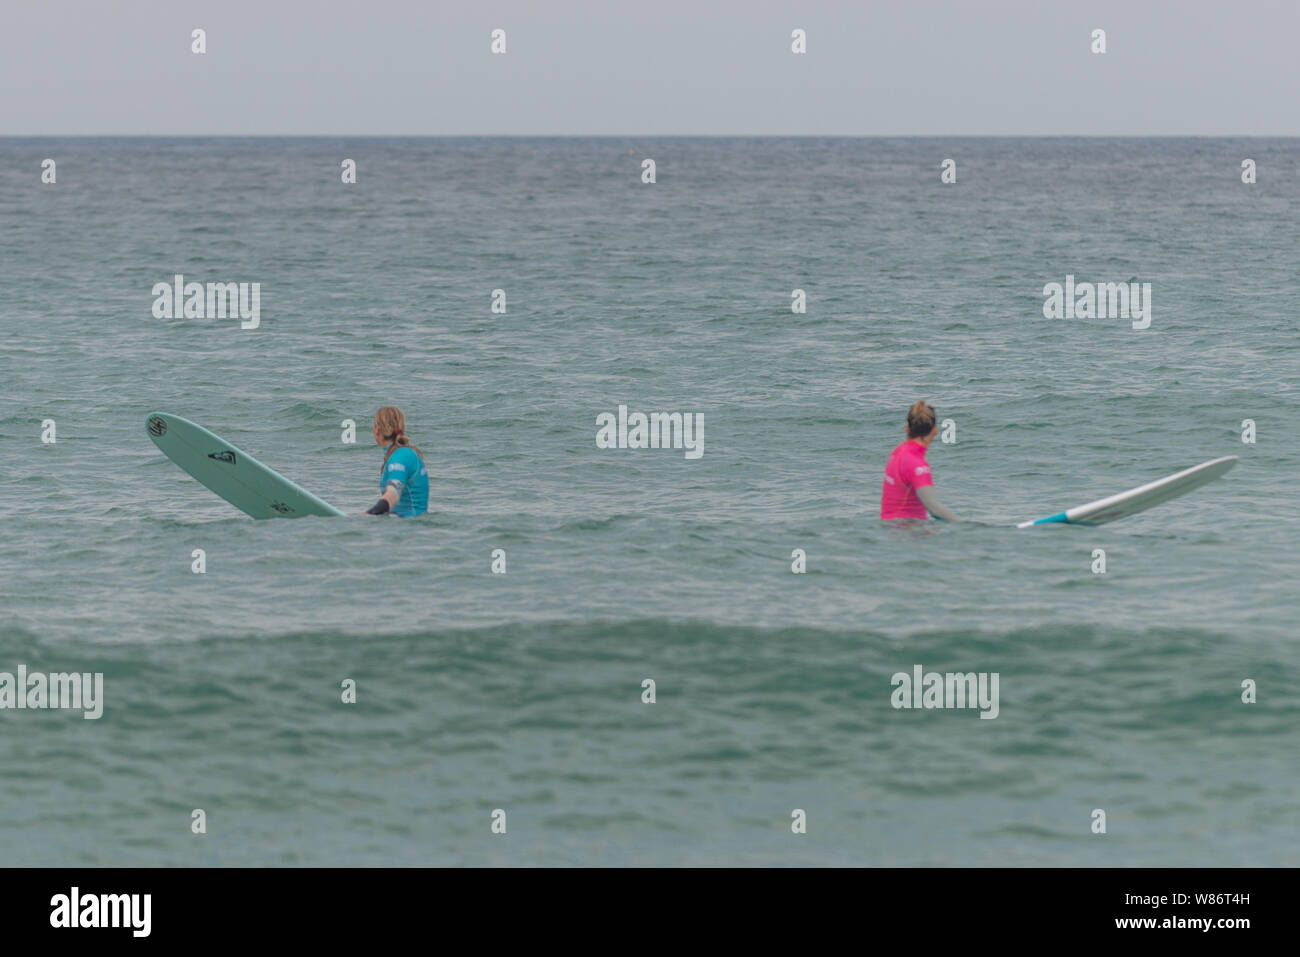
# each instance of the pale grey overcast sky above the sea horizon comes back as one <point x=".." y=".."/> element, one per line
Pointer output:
<point x="661" y="67"/>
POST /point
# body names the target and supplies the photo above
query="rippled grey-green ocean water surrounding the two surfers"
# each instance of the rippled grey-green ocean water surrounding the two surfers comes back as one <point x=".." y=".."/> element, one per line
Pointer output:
<point x="523" y="692"/>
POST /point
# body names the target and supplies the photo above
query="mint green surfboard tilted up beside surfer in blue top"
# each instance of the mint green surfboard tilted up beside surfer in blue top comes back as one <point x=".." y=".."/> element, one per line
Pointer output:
<point x="232" y="473"/>
